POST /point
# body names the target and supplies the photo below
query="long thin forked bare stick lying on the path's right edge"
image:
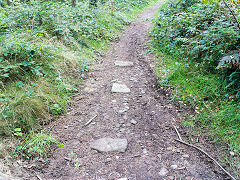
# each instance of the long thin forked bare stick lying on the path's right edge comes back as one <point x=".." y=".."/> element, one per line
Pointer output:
<point x="209" y="156"/>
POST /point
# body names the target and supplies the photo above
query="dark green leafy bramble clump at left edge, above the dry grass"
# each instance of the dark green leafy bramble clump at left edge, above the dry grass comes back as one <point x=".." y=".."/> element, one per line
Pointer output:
<point x="18" y="56"/>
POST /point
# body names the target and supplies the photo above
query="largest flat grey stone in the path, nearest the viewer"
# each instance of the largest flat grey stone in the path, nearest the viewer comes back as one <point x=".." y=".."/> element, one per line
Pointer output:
<point x="109" y="145"/>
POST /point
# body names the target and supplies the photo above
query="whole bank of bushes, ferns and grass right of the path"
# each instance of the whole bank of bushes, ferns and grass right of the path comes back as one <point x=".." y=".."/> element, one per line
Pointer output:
<point x="199" y="42"/>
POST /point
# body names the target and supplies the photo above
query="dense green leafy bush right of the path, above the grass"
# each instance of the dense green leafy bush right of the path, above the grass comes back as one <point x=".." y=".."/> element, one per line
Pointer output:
<point x="201" y="34"/>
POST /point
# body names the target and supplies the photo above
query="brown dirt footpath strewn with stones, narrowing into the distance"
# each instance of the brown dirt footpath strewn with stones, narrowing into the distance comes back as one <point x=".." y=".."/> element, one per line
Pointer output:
<point x="134" y="112"/>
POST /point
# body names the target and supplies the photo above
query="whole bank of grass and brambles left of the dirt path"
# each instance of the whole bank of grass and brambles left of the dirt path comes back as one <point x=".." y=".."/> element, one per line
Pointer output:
<point x="45" y="49"/>
